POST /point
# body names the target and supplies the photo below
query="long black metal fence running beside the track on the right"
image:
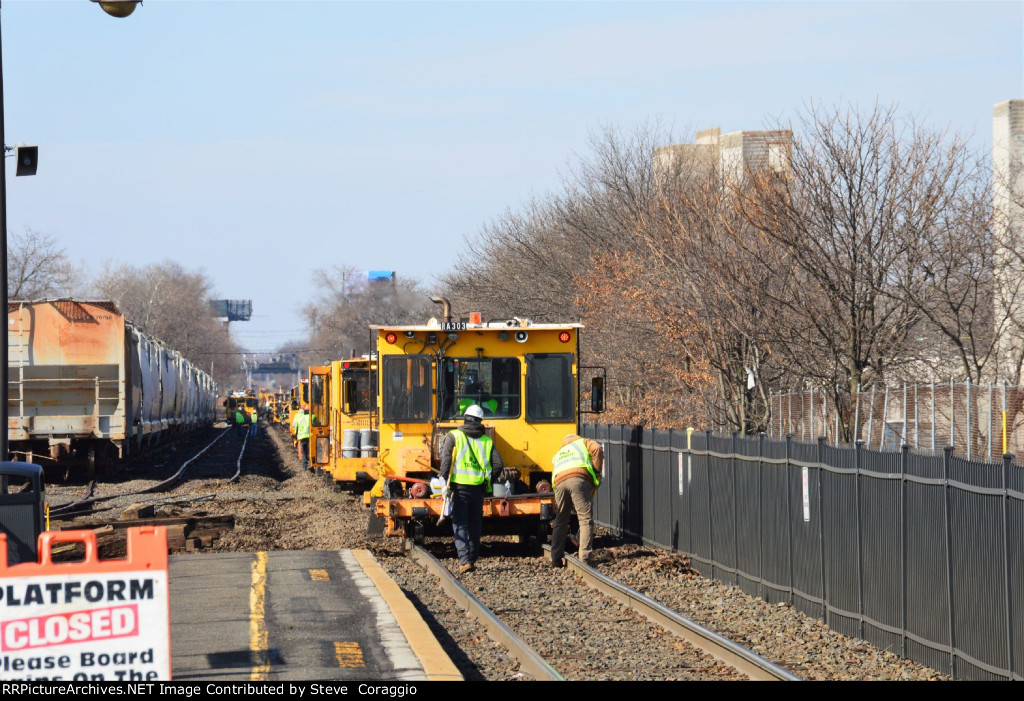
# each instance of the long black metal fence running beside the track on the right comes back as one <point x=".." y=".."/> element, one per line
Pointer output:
<point x="919" y="554"/>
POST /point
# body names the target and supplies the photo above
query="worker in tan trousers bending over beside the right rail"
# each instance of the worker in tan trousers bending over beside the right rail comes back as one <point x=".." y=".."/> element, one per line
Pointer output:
<point x="577" y="475"/>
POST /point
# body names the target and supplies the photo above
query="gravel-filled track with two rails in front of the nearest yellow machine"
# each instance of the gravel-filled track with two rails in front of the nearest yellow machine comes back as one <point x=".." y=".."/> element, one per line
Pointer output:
<point x="674" y="648"/>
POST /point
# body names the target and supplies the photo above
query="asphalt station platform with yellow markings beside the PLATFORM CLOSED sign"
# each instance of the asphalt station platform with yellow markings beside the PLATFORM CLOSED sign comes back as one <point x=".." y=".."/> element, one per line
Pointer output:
<point x="296" y="616"/>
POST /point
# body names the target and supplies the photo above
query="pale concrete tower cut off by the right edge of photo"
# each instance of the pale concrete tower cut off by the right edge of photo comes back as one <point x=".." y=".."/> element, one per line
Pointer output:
<point x="1008" y="197"/>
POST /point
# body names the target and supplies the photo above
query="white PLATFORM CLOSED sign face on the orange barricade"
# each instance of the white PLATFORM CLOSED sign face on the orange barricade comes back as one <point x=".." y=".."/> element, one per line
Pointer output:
<point x="86" y="628"/>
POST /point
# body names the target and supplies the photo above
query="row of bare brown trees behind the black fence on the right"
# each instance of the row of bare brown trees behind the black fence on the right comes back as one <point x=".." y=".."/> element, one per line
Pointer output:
<point x="871" y="253"/>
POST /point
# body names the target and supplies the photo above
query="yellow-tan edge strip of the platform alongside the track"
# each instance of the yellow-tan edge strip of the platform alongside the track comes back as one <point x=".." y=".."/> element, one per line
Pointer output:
<point x="437" y="665"/>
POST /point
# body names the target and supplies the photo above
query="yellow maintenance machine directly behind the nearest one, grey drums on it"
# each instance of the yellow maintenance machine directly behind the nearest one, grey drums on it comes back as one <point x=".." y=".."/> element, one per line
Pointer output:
<point x="343" y="432"/>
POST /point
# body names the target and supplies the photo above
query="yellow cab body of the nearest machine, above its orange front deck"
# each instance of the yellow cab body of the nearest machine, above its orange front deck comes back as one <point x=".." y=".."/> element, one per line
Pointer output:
<point x="525" y="377"/>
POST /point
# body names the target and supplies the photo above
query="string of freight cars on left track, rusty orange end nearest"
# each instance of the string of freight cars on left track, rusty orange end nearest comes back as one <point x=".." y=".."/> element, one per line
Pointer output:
<point x="87" y="385"/>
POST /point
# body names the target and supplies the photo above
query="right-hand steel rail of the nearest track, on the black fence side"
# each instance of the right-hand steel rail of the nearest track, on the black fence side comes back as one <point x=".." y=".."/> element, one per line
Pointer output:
<point x="719" y="647"/>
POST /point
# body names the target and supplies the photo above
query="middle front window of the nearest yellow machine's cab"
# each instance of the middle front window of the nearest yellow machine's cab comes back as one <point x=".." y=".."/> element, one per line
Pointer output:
<point x="492" y="383"/>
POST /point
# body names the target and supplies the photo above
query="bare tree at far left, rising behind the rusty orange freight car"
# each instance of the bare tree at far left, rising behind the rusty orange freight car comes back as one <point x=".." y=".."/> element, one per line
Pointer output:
<point x="38" y="268"/>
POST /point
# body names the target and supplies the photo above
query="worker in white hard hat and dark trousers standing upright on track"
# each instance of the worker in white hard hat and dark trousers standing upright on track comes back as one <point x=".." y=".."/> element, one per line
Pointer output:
<point x="470" y="465"/>
